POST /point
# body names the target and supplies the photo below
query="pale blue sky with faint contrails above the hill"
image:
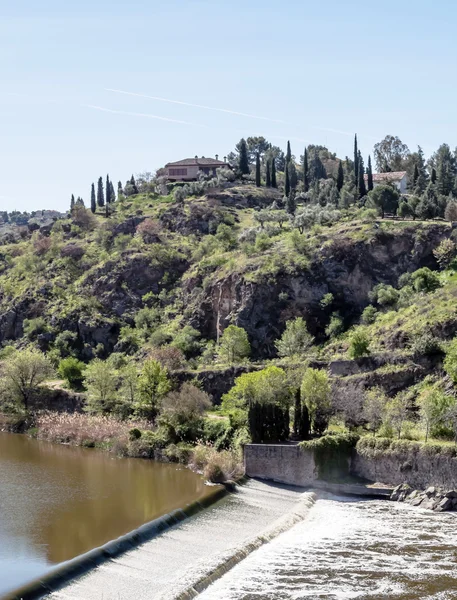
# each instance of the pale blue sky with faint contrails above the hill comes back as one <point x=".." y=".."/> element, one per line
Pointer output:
<point x="96" y="86"/>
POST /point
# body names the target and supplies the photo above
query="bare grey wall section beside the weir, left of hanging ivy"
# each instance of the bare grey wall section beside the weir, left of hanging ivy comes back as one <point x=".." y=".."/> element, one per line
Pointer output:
<point x="282" y="463"/>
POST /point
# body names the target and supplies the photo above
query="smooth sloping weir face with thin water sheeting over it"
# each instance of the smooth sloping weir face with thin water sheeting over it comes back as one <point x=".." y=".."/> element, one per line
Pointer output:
<point x="178" y="562"/>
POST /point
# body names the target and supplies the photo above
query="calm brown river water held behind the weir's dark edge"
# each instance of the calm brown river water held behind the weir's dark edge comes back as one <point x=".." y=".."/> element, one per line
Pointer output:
<point x="58" y="502"/>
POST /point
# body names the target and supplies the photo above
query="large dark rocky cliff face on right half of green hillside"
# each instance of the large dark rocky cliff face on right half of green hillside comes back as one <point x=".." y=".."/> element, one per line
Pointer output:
<point x="347" y="269"/>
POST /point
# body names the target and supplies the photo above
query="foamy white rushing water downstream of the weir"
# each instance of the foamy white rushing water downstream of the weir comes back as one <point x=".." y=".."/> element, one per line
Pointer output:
<point x="349" y="550"/>
